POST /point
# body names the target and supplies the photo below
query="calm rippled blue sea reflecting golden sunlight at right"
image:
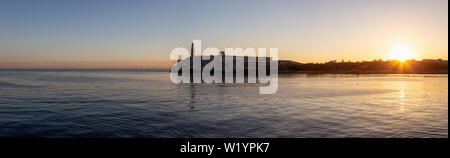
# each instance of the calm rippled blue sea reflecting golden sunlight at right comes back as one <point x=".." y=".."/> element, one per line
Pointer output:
<point x="145" y="103"/>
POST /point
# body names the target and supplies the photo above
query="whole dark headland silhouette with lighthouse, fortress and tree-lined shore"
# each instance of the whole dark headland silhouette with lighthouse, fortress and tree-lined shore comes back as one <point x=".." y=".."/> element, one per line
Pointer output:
<point x="425" y="66"/>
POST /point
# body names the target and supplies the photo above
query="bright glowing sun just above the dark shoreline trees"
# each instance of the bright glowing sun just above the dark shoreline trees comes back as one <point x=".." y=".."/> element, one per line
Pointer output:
<point x="401" y="52"/>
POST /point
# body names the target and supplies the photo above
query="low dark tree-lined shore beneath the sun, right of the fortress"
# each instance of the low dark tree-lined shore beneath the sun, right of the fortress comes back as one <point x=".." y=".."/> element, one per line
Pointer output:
<point x="426" y="66"/>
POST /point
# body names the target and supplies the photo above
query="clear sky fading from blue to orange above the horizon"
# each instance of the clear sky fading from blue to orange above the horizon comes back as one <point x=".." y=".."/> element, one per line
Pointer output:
<point x="141" y="33"/>
